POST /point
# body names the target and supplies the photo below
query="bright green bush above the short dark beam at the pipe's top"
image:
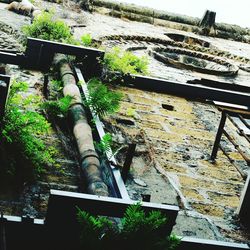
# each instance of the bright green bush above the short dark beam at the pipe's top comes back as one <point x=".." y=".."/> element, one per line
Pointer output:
<point x="46" y="26"/>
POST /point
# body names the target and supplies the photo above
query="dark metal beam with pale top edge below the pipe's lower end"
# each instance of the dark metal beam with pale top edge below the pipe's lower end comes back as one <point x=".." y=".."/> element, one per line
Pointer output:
<point x="96" y="205"/>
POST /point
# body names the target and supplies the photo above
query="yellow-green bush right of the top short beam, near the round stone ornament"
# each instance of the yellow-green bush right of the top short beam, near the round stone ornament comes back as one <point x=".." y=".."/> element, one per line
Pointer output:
<point x="126" y="62"/>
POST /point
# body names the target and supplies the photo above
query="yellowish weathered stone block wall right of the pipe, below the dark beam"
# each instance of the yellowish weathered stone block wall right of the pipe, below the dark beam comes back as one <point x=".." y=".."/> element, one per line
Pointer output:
<point x="178" y="137"/>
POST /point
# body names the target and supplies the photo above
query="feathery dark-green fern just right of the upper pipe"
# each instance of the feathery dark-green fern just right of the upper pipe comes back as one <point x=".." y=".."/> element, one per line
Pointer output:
<point x="102" y="100"/>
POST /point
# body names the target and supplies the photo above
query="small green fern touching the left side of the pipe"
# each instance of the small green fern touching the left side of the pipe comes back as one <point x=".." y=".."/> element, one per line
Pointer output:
<point x="59" y="107"/>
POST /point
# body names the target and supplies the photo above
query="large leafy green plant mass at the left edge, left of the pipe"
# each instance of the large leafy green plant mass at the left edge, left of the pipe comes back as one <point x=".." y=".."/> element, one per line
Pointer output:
<point x="23" y="152"/>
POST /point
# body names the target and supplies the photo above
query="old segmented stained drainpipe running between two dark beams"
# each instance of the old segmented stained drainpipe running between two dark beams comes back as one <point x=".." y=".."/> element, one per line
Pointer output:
<point x="89" y="161"/>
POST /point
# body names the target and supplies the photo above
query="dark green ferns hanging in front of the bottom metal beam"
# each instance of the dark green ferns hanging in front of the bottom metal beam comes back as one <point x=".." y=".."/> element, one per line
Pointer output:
<point x="137" y="230"/>
